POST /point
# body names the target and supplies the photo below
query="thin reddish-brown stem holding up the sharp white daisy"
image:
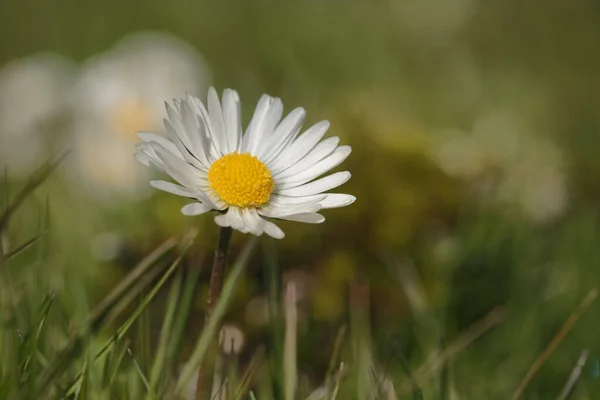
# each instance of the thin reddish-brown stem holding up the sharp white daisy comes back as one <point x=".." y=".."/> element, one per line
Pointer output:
<point x="216" y="285"/>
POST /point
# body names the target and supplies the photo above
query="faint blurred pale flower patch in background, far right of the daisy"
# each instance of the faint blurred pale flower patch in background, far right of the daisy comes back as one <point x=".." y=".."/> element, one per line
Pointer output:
<point x="527" y="170"/>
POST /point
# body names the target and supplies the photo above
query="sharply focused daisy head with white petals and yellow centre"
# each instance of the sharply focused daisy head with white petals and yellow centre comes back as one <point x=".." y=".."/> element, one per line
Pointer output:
<point x="267" y="172"/>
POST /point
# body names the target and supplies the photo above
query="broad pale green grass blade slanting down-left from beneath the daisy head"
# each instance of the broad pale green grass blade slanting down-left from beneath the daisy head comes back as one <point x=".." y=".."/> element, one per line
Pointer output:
<point x="218" y="312"/>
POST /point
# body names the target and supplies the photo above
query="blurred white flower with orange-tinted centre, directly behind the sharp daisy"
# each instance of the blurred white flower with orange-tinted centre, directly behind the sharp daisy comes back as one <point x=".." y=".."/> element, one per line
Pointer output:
<point x="121" y="92"/>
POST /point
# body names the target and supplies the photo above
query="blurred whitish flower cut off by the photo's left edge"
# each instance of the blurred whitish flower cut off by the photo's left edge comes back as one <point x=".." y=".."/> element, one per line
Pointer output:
<point x="33" y="91"/>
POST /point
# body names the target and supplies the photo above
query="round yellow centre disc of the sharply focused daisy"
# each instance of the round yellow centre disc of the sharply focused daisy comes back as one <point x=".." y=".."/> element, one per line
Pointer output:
<point x="241" y="180"/>
